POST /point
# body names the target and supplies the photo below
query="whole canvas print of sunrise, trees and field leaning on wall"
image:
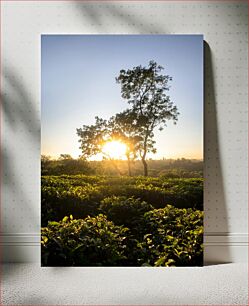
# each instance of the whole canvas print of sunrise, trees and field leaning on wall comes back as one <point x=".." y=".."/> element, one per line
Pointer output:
<point x="122" y="150"/>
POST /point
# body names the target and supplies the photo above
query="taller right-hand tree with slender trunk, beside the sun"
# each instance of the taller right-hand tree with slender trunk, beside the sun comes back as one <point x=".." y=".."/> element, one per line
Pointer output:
<point x="145" y="89"/>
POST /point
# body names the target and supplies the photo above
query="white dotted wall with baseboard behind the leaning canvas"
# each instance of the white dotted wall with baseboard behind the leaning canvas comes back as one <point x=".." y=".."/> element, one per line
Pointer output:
<point x="224" y="25"/>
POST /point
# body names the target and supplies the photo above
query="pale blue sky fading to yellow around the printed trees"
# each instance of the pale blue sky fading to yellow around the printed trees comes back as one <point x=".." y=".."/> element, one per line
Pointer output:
<point x="78" y="83"/>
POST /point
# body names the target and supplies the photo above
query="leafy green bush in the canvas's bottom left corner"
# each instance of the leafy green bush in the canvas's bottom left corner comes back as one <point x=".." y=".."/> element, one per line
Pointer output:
<point x="83" y="242"/>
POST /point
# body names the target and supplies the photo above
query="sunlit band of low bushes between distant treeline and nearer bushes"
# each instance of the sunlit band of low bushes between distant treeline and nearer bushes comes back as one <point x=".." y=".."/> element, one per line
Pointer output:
<point x="81" y="195"/>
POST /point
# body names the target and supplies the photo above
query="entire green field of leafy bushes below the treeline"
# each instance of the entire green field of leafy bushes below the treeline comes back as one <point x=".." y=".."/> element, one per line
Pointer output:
<point x="95" y="220"/>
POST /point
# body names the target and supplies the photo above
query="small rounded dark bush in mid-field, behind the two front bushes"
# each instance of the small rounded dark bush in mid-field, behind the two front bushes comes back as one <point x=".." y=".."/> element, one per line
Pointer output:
<point x="124" y="211"/>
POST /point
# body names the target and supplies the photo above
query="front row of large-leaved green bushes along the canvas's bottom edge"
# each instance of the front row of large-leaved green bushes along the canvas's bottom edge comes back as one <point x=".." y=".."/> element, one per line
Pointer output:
<point x="162" y="237"/>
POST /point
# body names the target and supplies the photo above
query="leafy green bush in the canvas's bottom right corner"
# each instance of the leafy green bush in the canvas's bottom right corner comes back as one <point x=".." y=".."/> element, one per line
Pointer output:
<point x="171" y="236"/>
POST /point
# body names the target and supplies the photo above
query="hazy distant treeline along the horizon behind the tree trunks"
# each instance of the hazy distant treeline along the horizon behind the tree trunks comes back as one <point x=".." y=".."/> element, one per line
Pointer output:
<point x="171" y="168"/>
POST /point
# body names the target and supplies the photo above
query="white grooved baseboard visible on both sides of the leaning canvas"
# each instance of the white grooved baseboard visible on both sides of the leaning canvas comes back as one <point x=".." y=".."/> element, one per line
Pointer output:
<point x="218" y="247"/>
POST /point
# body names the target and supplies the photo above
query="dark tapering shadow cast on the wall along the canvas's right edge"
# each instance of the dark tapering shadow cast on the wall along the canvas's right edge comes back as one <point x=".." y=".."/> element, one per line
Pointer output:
<point x="215" y="210"/>
